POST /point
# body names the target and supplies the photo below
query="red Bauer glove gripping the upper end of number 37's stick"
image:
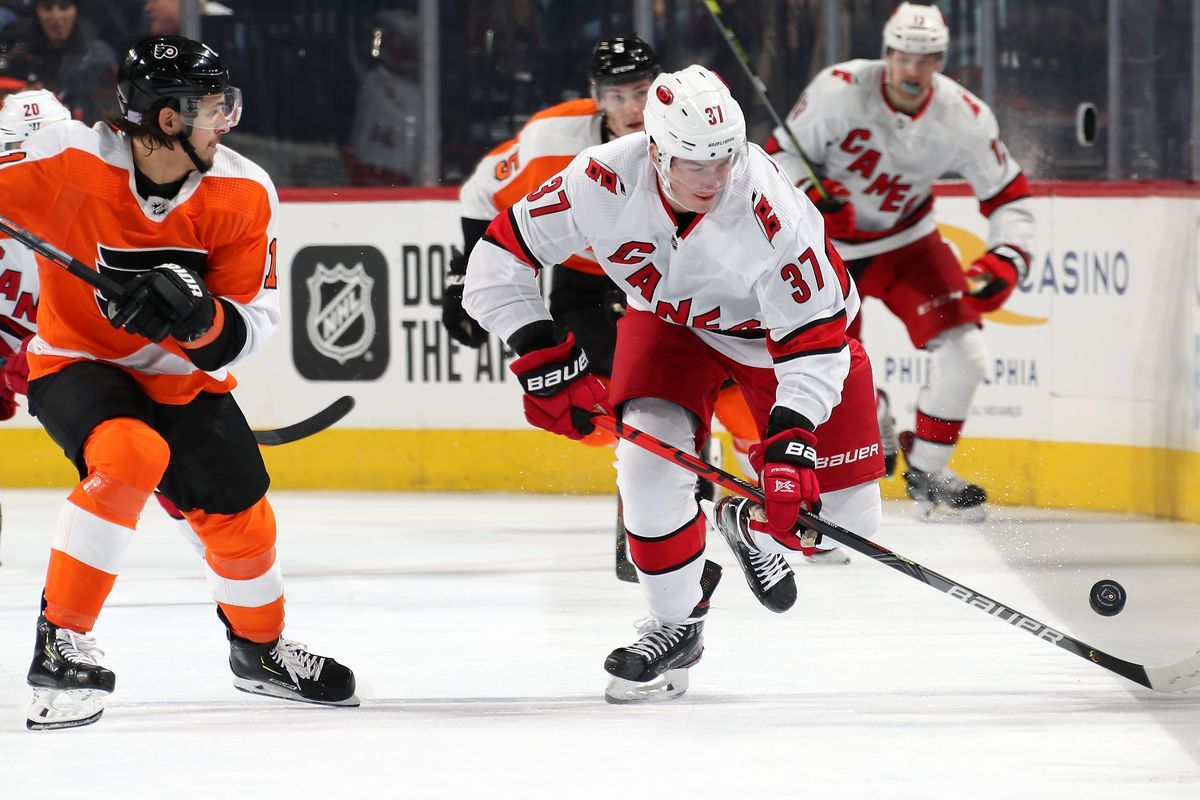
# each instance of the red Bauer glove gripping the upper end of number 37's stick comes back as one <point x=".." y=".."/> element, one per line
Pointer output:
<point x="561" y="394"/>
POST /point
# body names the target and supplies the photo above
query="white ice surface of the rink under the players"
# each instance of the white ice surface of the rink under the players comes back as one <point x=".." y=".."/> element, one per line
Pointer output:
<point x="478" y="628"/>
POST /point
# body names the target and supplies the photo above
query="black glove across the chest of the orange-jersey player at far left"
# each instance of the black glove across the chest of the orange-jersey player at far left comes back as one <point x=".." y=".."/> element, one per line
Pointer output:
<point x="167" y="300"/>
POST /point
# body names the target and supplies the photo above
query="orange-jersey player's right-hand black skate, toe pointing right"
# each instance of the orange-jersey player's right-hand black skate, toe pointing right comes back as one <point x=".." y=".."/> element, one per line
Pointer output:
<point x="285" y="669"/>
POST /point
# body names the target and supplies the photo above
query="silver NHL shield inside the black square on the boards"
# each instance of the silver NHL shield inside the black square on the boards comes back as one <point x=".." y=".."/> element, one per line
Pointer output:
<point x="341" y="321"/>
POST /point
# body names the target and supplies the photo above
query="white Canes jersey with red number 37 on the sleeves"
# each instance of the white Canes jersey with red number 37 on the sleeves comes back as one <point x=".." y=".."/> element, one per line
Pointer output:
<point x="755" y="279"/>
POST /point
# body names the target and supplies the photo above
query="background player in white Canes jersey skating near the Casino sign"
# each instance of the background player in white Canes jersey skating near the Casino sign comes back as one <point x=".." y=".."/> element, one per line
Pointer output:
<point x="881" y="133"/>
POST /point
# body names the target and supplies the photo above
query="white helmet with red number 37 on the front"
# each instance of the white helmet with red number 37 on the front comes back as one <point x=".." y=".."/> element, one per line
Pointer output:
<point x="691" y="115"/>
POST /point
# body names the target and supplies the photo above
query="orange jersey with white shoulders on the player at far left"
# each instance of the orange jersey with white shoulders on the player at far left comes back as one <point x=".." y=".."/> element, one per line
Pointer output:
<point x="74" y="187"/>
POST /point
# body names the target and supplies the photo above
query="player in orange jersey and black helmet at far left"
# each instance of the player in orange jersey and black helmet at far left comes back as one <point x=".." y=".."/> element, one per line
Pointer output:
<point x="136" y="388"/>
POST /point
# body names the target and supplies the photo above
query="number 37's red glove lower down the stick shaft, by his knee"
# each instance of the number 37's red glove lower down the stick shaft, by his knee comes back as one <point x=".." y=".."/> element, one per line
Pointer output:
<point x="787" y="466"/>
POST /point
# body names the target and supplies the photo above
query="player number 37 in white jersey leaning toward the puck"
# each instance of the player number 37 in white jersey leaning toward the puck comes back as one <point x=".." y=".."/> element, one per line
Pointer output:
<point x="727" y="272"/>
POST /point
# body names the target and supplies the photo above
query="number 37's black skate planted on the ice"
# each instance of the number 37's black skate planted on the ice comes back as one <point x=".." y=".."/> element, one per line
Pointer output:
<point x="656" y="667"/>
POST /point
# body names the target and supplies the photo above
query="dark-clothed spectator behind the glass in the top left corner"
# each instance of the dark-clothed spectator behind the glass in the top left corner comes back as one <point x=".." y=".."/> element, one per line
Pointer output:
<point x="63" y="51"/>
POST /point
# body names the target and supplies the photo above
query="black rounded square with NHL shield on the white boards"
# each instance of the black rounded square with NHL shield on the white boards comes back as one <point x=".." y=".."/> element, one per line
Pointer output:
<point x="340" y="314"/>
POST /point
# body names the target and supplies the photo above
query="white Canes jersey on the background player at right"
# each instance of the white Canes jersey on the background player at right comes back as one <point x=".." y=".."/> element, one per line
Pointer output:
<point x="890" y="160"/>
